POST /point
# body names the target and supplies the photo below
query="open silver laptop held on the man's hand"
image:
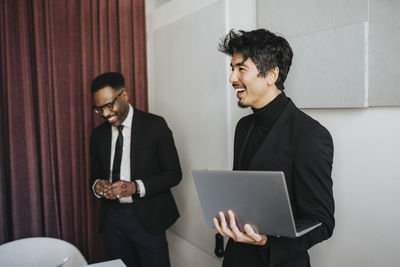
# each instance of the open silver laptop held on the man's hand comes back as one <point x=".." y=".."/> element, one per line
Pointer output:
<point x="258" y="198"/>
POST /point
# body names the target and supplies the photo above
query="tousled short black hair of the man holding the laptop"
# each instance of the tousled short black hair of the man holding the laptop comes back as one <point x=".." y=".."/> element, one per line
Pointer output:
<point x="266" y="50"/>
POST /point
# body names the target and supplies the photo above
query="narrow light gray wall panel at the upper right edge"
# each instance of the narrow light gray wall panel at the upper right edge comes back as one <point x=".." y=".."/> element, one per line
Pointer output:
<point x="384" y="53"/>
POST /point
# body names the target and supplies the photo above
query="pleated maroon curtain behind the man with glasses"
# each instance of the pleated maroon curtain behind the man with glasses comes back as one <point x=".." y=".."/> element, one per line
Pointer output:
<point x="50" y="50"/>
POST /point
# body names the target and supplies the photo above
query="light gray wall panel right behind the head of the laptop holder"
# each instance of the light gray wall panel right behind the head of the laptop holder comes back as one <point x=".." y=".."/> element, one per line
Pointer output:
<point x="329" y="68"/>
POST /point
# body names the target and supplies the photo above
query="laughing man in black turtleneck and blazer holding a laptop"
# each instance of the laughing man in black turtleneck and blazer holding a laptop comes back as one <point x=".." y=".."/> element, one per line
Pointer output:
<point x="276" y="137"/>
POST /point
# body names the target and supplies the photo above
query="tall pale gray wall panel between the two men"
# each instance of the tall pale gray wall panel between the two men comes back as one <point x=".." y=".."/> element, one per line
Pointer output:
<point x="189" y="88"/>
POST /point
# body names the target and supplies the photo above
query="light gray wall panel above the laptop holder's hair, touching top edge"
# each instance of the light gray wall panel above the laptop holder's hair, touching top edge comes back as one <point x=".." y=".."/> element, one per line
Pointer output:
<point x="293" y="18"/>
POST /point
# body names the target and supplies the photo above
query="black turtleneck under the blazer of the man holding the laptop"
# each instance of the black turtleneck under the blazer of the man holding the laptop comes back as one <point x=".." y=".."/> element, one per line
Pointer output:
<point x="264" y="119"/>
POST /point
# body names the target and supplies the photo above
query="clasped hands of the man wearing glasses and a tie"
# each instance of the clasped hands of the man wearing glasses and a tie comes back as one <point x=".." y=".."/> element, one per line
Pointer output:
<point x="115" y="190"/>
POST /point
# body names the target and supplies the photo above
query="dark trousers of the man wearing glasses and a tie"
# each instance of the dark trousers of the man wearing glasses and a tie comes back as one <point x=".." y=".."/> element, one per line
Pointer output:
<point x="125" y="238"/>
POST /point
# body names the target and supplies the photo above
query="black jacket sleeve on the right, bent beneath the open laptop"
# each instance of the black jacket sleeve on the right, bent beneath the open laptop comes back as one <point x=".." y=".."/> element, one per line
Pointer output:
<point x="312" y="195"/>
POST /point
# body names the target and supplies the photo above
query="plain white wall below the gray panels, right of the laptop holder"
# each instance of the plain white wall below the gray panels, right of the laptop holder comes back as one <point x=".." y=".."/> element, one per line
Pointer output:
<point x="366" y="187"/>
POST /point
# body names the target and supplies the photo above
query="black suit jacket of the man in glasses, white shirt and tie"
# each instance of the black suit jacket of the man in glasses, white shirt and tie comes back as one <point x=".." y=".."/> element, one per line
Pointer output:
<point x="154" y="160"/>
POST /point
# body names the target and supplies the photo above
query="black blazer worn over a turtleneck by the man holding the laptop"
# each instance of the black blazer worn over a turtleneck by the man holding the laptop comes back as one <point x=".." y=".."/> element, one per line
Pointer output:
<point x="303" y="149"/>
